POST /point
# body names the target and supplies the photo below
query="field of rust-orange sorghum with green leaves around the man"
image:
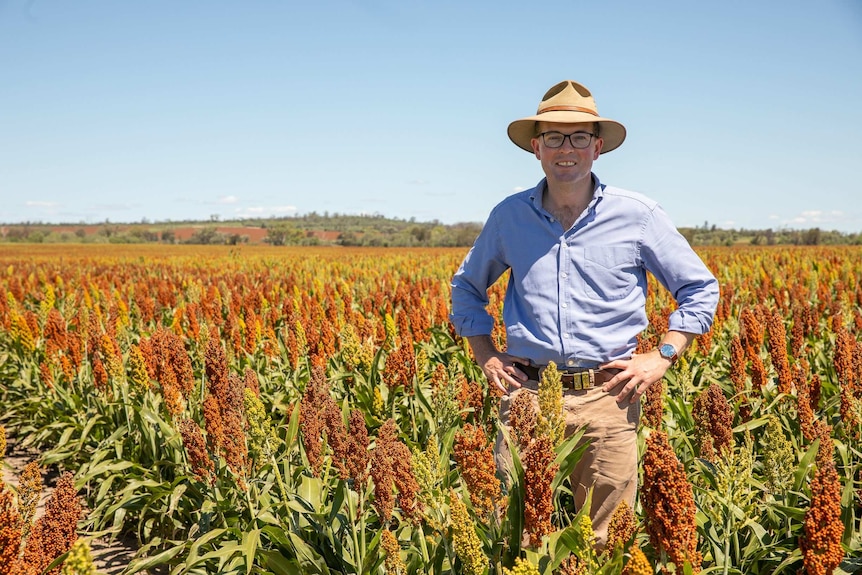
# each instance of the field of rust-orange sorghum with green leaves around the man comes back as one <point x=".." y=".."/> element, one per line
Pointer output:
<point x="268" y="410"/>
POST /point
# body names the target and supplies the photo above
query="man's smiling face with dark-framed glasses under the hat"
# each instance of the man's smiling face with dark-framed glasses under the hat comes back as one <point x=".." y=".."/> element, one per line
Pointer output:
<point x="567" y="164"/>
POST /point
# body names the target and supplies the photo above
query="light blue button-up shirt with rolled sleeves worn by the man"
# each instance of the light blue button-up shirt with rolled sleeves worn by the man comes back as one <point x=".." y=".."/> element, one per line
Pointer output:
<point x="577" y="296"/>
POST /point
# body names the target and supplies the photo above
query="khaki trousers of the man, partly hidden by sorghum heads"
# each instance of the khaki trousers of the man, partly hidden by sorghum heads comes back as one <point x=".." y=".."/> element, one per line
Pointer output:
<point x="609" y="466"/>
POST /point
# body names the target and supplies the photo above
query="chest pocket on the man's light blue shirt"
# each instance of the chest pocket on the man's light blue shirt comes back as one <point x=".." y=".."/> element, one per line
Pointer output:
<point x="609" y="272"/>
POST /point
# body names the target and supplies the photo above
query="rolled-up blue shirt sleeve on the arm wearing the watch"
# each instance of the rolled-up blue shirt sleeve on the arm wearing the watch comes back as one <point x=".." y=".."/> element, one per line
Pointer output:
<point x="672" y="261"/>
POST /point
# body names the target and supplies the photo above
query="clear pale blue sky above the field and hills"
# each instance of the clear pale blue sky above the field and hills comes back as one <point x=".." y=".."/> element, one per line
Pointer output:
<point x="743" y="114"/>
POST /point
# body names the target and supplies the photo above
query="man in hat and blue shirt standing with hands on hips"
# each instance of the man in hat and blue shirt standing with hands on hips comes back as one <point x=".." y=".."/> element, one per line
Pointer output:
<point x="578" y="252"/>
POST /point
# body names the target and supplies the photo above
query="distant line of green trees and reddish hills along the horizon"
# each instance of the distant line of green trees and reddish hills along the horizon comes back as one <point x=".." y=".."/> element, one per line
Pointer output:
<point x="363" y="230"/>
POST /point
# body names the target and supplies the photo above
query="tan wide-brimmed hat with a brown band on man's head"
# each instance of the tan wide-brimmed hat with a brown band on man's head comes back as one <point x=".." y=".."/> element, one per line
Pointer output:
<point x="570" y="103"/>
